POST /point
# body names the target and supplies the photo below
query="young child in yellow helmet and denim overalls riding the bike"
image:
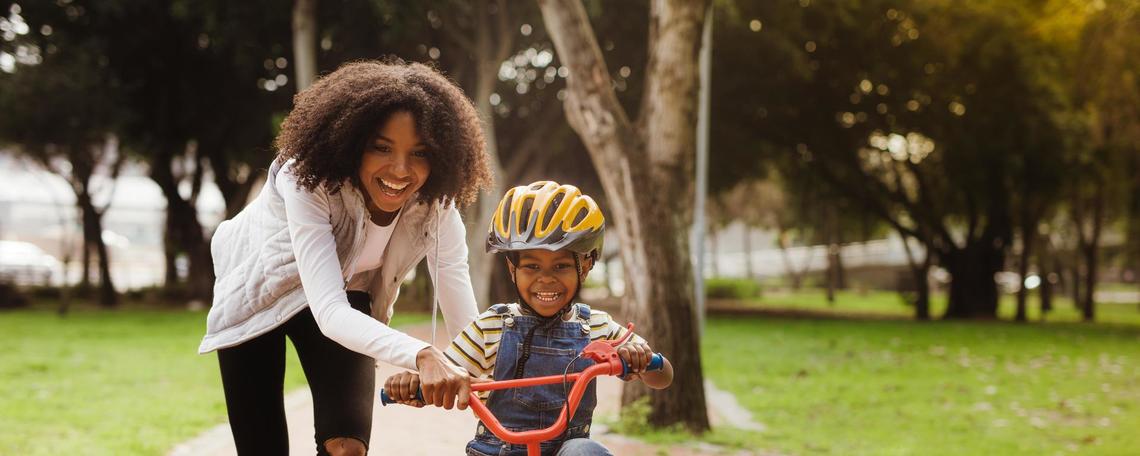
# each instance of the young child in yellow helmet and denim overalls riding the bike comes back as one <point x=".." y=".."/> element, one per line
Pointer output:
<point x="551" y="235"/>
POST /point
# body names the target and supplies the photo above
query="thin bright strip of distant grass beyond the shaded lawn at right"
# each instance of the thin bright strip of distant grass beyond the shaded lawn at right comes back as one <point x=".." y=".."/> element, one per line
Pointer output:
<point x="891" y="304"/>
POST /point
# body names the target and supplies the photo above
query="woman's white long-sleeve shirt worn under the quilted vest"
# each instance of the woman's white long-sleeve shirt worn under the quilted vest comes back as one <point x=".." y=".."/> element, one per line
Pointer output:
<point x="322" y="278"/>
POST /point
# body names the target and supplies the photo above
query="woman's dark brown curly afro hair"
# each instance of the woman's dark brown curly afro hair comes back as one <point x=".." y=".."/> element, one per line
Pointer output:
<point x="335" y="119"/>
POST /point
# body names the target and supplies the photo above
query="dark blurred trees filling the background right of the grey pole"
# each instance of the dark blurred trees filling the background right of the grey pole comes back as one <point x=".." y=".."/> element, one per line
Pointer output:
<point x="992" y="134"/>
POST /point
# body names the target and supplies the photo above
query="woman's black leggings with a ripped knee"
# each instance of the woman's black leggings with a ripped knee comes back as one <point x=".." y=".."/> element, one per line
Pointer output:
<point x="343" y="384"/>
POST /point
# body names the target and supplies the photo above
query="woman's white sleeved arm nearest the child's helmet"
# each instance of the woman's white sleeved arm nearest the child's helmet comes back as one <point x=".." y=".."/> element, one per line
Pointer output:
<point x="453" y="280"/>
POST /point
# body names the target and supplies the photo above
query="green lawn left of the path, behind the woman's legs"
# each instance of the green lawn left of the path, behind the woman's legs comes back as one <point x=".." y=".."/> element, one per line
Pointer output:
<point x="123" y="382"/>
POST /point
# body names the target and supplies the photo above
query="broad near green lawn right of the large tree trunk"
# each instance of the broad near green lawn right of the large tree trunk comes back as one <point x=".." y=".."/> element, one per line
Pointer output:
<point x="849" y="387"/>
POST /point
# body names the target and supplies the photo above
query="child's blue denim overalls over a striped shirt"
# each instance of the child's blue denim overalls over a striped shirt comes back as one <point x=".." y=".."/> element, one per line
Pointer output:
<point x="538" y="408"/>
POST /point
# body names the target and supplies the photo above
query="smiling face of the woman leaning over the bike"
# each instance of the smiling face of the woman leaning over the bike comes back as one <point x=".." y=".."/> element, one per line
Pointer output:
<point x="395" y="164"/>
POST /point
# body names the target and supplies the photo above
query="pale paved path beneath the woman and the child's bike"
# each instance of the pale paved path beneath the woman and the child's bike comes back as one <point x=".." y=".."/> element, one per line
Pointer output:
<point x="436" y="431"/>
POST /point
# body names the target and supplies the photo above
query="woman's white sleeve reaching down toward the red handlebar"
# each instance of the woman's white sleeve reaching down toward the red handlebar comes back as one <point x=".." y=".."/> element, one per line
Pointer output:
<point x="322" y="280"/>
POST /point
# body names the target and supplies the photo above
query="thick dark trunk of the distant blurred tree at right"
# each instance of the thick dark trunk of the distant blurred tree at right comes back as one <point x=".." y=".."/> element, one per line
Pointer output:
<point x="973" y="290"/>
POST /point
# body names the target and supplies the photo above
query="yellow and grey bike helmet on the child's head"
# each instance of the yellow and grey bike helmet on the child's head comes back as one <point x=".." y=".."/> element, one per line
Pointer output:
<point x="547" y="216"/>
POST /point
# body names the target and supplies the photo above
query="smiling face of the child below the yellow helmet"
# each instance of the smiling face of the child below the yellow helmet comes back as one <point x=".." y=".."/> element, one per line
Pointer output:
<point x="548" y="281"/>
